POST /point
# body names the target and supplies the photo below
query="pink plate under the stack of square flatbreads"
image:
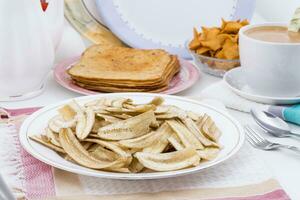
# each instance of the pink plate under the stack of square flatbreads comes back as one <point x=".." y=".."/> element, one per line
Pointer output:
<point x="187" y="77"/>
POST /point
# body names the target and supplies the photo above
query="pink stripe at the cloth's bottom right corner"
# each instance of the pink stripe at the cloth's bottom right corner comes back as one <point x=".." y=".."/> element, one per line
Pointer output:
<point x="274" y="195"/>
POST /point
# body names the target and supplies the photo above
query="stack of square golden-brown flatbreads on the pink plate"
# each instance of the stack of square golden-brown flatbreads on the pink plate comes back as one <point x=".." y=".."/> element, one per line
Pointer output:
<point x="122" y="69"/>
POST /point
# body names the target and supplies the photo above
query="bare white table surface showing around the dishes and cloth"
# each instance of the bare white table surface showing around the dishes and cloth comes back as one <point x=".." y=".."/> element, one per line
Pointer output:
<point x="284" y="165"/>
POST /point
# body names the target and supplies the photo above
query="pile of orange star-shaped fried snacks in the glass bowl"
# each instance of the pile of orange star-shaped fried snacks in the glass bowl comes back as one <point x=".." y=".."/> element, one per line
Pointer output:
<point x="218" y="42"/>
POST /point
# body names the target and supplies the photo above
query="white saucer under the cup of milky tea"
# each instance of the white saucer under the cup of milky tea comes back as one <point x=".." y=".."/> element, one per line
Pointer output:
<point x="236" y="82"/>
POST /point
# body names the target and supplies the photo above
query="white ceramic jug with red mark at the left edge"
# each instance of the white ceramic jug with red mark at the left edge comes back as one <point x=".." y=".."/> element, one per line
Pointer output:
<point x="28" y="37"/>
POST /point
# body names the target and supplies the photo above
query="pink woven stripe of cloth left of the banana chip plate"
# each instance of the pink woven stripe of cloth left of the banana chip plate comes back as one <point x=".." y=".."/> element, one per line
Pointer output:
<point x="38" y="176"/>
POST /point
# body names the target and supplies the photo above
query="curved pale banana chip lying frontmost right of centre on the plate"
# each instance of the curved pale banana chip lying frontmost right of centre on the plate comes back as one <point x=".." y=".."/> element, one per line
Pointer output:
<point x="169" y="161"/>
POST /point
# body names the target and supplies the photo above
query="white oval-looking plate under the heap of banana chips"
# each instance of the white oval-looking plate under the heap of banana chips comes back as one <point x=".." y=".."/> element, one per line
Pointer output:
<point x="231" y="140"/>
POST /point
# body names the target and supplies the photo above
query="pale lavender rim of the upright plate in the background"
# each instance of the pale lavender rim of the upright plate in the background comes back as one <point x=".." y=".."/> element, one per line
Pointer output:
<point x="124" y="32"/>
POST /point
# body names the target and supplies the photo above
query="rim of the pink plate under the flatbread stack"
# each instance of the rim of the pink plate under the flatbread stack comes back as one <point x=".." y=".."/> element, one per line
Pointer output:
<point x="194" y="76"/>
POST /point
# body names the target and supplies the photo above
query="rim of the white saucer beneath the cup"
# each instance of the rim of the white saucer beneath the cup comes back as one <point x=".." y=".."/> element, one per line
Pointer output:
<point x="256" y="97"/>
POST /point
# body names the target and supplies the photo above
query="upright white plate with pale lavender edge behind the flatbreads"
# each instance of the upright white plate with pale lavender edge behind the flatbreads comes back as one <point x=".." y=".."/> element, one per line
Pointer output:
<point x="167" y="24"/>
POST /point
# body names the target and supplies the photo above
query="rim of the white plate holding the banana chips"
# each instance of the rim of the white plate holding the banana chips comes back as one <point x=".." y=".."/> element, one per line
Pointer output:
<point x="23" y="137"/>
